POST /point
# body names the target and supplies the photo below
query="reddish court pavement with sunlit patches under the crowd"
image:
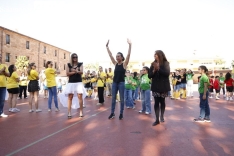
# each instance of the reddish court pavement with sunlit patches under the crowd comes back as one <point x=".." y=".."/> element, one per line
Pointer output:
<point x="51" y="133"/>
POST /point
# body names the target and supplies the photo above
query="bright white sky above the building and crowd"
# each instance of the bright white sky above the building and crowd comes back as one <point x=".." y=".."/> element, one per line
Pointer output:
<point x="178" y="27"/>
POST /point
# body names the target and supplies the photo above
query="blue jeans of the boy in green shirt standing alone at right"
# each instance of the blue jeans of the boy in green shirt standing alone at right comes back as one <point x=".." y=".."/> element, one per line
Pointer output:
<point x="204" y="107"/>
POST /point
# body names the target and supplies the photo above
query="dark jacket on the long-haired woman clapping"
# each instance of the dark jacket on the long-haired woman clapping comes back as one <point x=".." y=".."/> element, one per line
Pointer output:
<point x="160" y="78"/>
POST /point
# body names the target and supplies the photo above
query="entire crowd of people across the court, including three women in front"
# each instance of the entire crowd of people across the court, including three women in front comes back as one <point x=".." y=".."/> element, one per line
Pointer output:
<point x="121" y="85"/>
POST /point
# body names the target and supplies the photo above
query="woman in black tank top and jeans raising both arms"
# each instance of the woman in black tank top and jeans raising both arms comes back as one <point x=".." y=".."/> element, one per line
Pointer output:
<point x="118" y="80"/>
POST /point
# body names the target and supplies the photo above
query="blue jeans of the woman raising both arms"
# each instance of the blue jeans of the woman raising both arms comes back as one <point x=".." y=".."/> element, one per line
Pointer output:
<point x="115" y="88"/>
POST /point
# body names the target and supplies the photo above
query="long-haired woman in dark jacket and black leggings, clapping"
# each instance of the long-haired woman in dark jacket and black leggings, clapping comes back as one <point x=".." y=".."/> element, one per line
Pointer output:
<point x="159" y="72"/>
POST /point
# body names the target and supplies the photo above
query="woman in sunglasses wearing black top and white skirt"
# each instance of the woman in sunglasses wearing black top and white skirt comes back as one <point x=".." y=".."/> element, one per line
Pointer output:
<point x="74" y="71"/>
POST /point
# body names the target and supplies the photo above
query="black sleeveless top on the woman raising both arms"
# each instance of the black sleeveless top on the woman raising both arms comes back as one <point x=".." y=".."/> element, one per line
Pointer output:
<point x="119" y="73"/>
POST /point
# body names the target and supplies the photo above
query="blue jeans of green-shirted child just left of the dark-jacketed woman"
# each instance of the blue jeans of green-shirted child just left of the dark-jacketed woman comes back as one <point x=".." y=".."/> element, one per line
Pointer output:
<point x="146" y="100"/>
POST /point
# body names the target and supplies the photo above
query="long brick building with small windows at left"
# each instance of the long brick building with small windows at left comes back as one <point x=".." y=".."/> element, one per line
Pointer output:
<point x="14" y="44"/>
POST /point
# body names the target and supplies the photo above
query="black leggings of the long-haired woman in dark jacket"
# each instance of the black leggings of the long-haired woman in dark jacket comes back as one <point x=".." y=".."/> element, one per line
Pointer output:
<point x="156" y="107"/>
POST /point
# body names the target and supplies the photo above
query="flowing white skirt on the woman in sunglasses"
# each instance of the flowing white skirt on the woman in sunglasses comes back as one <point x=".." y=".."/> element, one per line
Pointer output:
<point x="72" y="88"/>
